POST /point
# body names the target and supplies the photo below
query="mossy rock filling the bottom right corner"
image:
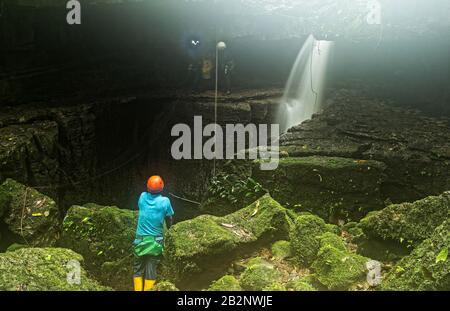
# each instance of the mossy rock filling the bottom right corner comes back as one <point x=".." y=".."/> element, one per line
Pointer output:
<point x="427" y="268"/>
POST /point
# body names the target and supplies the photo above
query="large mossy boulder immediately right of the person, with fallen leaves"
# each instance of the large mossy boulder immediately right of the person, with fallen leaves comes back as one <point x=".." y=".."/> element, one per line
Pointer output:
<point x="199" y="250"/>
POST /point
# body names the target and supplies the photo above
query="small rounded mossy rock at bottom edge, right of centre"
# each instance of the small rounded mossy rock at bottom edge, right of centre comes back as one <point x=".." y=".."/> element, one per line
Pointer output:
<point x="258" y="277"/>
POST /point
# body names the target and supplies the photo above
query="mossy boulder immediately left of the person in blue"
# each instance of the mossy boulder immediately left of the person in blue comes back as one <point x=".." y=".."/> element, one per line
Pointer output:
<point x="104" y="236"/>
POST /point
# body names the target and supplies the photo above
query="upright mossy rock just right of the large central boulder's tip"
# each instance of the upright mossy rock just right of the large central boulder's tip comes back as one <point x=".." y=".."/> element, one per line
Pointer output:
<point x="305" y="238"/>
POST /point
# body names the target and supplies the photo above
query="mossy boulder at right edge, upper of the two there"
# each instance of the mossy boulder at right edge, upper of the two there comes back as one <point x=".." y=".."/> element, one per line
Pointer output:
<point x="408" y="223"/>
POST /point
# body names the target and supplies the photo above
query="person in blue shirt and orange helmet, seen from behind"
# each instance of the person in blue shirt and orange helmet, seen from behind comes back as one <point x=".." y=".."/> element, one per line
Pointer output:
<point x="154" y="211"/>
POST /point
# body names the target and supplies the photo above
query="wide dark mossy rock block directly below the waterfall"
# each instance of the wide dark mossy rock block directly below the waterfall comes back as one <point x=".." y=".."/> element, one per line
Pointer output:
<point x="331" y="187"/>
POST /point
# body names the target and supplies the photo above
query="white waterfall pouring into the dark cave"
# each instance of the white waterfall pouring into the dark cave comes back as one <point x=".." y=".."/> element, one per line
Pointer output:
<point x="304" y="89"/>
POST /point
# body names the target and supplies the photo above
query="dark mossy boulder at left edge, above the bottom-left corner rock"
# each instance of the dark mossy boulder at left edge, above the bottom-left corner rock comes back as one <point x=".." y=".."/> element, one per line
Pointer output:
<point x="29" y="214"/>
